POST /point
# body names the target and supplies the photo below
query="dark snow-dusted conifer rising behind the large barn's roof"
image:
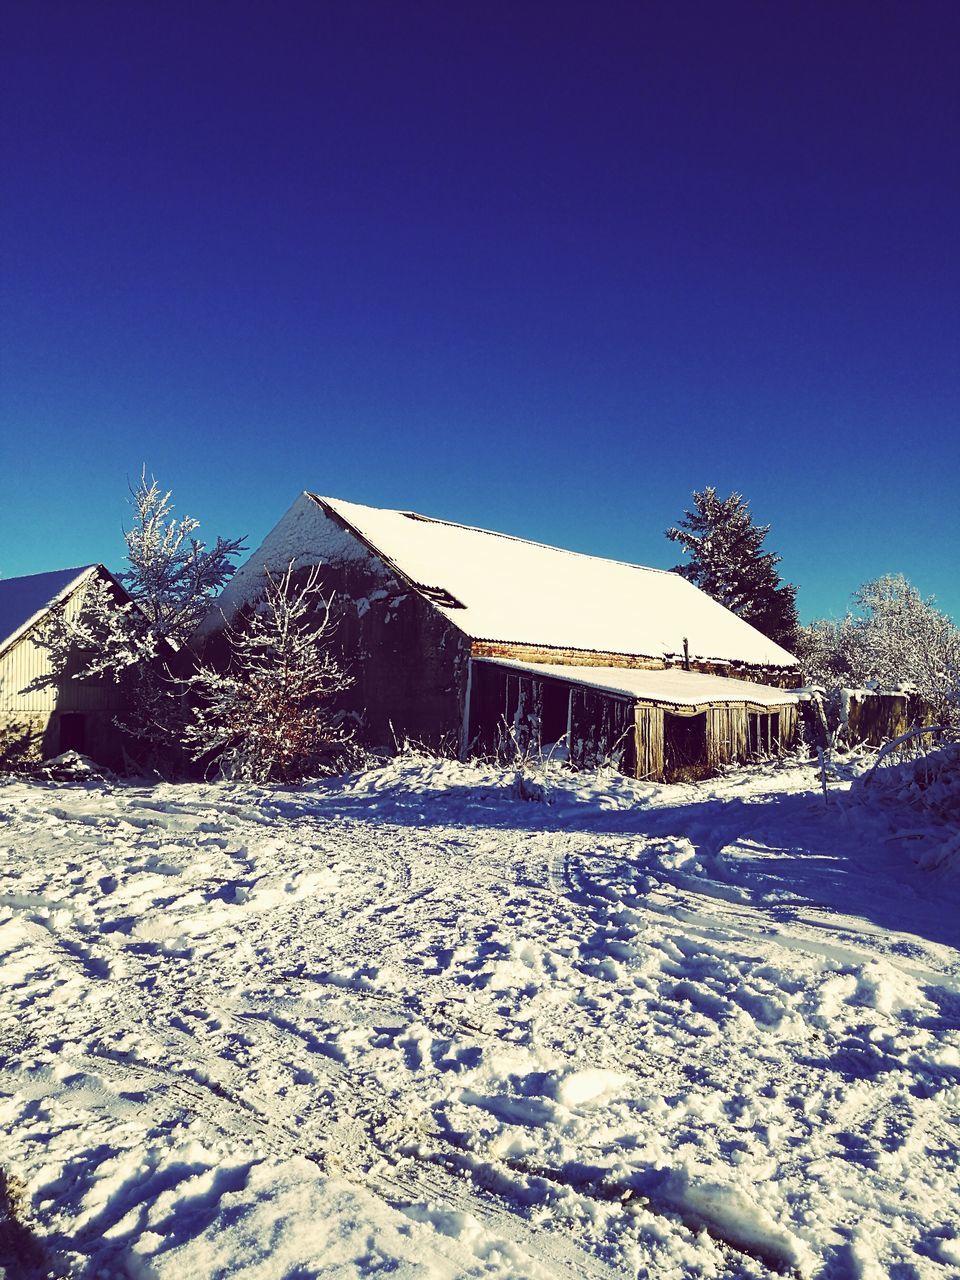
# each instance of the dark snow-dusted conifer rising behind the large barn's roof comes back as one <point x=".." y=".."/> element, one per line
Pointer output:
<point x="726" y="560"/>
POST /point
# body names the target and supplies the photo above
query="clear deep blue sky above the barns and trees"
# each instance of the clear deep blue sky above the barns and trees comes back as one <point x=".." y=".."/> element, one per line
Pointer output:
<point x="545" y="268"/>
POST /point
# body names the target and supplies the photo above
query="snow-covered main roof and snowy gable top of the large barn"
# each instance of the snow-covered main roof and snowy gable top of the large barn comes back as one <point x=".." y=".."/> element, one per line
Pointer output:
<point x="510" y="591"/>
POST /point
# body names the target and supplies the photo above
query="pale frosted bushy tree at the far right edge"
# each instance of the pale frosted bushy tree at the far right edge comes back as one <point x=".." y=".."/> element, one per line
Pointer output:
<point x="894" y="638"/>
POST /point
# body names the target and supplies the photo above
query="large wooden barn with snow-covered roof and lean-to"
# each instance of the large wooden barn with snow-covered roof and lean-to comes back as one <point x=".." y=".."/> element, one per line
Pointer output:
<point x="483" y="643"/>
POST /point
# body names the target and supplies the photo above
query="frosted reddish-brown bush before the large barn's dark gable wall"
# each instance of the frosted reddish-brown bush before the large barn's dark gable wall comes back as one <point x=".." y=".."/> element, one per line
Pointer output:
<point x="269" y="717"/>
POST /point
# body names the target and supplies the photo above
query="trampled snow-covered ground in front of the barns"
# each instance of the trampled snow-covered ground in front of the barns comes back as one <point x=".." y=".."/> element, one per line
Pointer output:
<point x="409" y="1025"/>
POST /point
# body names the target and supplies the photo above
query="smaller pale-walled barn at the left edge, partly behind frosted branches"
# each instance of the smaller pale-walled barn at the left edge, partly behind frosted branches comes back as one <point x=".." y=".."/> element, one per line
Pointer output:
<point x="71" y="715"/>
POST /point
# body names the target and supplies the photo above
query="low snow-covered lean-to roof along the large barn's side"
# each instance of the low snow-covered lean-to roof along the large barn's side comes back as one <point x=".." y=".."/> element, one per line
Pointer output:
<point x="674" y="687"/>
